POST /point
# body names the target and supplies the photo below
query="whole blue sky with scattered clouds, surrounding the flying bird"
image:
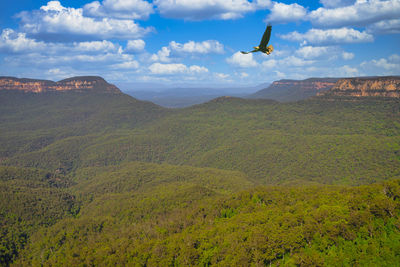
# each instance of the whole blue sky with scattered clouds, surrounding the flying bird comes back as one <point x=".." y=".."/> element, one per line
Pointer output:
<point x="198" y="42"/>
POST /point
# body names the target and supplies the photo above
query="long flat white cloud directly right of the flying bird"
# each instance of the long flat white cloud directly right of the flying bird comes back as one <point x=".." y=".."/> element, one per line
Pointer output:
<point x="330" y="36"/>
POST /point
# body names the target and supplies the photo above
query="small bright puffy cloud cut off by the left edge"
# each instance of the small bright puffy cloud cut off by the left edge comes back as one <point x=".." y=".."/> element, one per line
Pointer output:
<point x="11" y="41"/>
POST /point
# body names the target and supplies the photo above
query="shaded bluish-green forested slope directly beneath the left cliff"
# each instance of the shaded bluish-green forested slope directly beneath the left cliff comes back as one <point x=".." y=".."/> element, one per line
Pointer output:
<point x="31" y="121"/>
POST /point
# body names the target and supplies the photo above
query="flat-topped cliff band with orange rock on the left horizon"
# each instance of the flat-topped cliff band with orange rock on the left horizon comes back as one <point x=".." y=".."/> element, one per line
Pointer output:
<point x="76" y="84"/>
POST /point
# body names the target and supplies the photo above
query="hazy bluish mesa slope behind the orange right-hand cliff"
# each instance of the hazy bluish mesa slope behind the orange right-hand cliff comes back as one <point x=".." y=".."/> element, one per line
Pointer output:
<point x="292" y="90"/>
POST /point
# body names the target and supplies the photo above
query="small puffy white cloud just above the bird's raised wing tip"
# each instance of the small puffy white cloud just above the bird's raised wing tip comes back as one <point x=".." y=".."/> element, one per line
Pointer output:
<point x="282" y="13"/>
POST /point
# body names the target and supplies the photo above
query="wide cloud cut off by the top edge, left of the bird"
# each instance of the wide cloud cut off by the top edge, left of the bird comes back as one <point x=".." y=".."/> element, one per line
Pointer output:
<point x="210" y="9"/>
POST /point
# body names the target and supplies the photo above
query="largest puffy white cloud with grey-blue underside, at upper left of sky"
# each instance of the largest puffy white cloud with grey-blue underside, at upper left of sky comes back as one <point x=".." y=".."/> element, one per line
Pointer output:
<point x="55" y="22"/>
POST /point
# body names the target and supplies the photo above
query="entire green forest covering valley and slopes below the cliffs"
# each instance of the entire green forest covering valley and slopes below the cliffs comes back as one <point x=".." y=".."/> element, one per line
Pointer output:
<point x="105" y="179"/>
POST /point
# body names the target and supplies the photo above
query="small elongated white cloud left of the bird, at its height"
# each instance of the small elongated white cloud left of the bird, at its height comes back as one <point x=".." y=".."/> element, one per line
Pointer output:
<point x="205" y="47"/>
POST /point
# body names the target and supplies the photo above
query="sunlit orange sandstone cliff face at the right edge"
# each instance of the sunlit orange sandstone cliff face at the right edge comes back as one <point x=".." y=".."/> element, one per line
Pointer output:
<point x="388" y="86"/>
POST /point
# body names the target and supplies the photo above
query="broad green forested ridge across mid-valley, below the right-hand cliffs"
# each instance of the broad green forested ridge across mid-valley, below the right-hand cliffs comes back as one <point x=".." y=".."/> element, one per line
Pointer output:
<point x="318" y="141"/>
